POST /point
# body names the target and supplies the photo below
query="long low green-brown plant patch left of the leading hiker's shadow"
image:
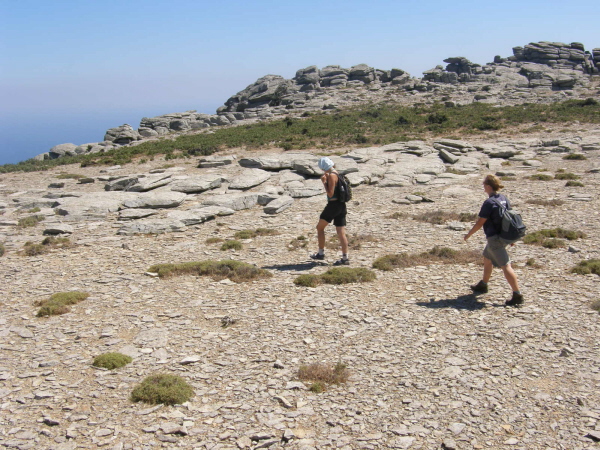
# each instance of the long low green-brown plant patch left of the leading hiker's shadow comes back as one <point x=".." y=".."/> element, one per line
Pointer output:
<point x="236" y="271"/>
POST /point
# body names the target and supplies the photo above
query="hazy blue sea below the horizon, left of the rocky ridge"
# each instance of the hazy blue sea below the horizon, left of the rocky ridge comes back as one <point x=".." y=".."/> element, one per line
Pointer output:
<point x="23" y="136"/>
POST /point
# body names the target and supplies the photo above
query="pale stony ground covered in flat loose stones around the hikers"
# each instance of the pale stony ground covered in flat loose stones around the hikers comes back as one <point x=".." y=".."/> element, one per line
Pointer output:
<point x="431" y="365"/>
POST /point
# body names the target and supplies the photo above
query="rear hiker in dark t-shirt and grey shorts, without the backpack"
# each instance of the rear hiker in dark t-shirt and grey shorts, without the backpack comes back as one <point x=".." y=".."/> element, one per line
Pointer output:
<point x="494" y="253"/>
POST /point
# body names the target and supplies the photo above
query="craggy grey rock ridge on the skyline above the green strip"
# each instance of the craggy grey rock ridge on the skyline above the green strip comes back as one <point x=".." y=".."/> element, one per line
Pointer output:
<point x="537" y="72"/>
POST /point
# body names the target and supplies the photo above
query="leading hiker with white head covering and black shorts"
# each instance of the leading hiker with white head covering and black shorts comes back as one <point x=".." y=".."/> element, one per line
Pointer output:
<point x="334" y="211"/>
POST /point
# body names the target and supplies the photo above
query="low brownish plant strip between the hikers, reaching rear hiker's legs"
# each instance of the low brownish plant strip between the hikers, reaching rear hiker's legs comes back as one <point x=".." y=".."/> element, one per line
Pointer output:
<point x="436" y="255"/>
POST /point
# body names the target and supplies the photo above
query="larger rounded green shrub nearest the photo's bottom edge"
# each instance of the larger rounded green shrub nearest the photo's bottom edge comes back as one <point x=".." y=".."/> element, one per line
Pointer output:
<point x="164" y="389"/>
